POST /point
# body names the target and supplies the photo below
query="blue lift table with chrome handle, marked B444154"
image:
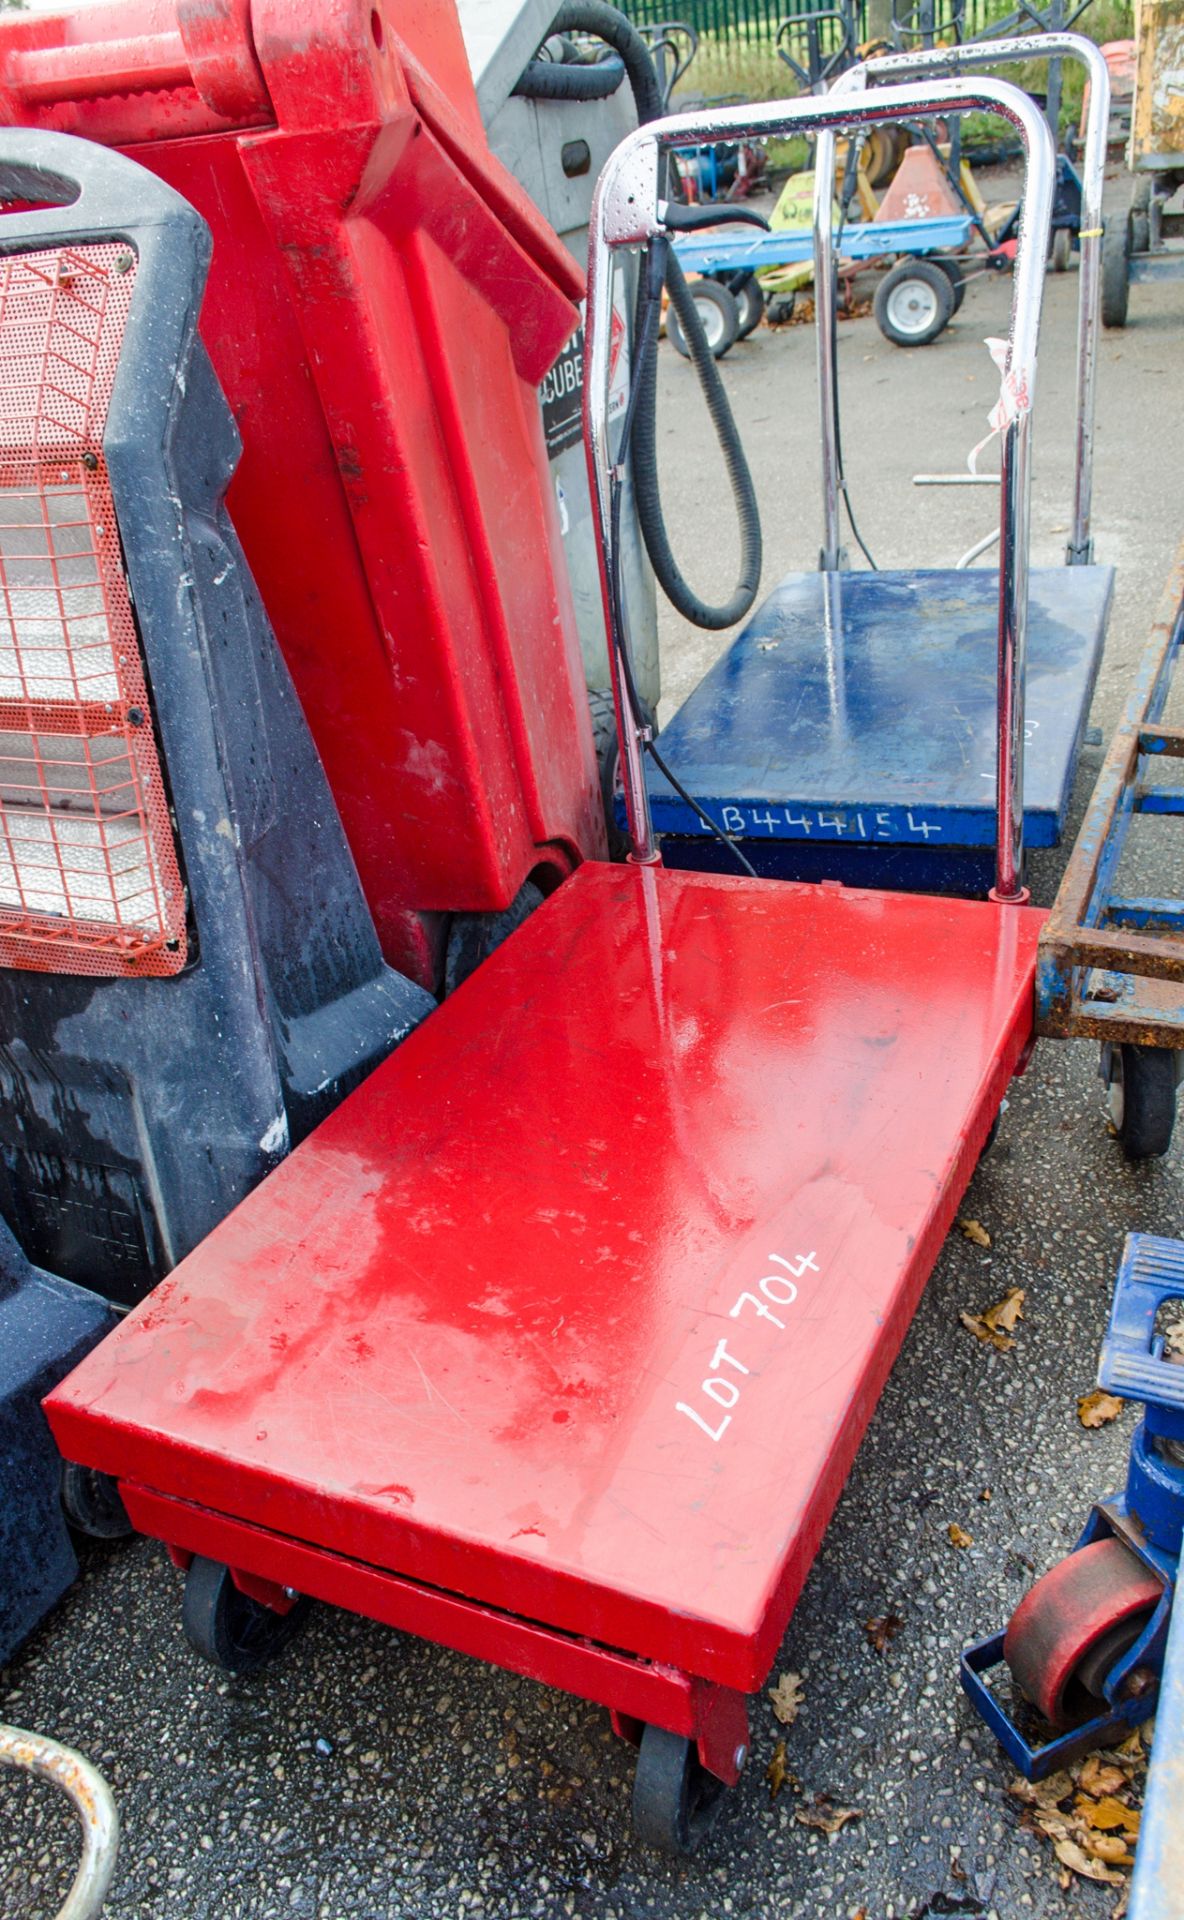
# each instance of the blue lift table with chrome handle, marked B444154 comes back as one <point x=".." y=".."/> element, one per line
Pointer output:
<point x="851" y="729"/>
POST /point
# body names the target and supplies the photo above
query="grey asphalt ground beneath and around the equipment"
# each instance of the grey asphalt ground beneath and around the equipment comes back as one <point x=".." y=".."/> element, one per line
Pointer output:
<point x="369" y="1775"/>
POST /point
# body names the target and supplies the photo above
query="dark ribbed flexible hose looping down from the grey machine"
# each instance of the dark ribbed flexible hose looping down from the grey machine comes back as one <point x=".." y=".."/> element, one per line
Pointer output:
<point x="607" y="24"/>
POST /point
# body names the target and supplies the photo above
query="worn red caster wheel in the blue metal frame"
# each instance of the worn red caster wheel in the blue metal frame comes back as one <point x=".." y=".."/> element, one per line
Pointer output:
<point x="1074" y="1625"/>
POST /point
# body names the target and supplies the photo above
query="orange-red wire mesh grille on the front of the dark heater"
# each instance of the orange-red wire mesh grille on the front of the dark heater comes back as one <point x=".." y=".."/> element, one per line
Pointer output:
<point x="89" y="876"/>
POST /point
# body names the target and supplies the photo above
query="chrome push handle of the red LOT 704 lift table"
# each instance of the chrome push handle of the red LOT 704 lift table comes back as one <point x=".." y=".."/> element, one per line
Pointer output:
<point x="628" y="212"/>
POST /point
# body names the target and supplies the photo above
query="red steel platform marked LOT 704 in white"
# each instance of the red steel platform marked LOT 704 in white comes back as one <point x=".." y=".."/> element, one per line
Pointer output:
<point x="582" y="1303"/>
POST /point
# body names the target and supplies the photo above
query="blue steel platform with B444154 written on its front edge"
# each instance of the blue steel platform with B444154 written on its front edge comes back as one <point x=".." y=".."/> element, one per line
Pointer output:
<point x="851" y="729"/>
